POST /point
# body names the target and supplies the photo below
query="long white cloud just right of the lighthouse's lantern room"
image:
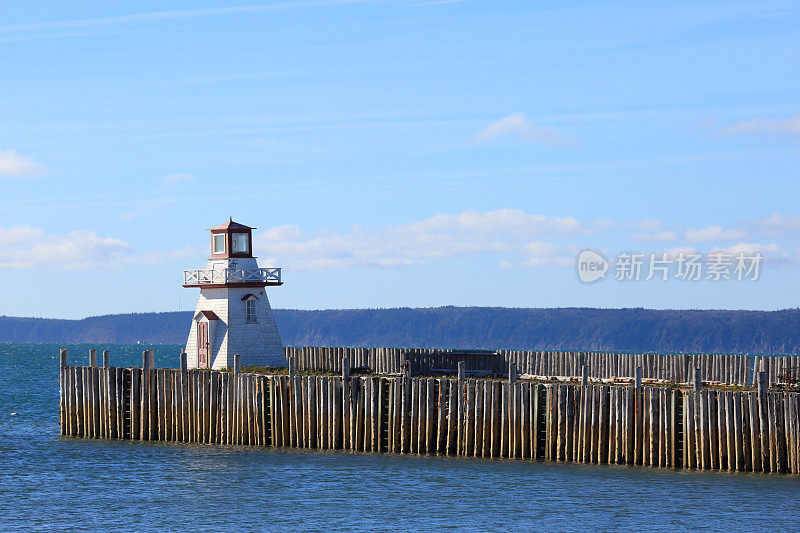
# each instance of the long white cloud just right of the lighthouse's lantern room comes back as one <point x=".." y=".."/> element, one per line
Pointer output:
<point x="439" y="237"/>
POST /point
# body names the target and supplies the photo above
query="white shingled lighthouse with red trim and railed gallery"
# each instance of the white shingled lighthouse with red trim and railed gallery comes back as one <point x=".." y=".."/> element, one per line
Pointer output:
<point x="233" y="315"/>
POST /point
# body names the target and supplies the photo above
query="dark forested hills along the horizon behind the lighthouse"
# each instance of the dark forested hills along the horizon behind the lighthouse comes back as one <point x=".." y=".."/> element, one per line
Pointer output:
<point x="696" y="331"/>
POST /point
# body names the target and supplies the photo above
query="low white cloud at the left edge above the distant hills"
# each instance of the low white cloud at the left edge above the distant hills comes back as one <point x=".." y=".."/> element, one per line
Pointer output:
<point x="29" y="247"/>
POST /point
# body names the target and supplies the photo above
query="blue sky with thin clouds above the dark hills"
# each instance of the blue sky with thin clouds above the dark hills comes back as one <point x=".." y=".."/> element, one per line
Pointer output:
<point x="396" y="153"/>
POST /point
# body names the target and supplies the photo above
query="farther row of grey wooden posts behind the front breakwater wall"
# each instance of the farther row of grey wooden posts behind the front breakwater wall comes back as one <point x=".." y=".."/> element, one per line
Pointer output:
<point x="676" y="368"/>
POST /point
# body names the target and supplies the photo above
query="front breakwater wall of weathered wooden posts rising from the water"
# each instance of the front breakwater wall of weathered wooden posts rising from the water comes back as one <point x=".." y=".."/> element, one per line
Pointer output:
<point x="691" y="428"/>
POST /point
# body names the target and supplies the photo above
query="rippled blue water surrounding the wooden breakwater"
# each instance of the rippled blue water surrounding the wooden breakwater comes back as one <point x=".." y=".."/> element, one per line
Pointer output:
<point x="48" y="482"/>
